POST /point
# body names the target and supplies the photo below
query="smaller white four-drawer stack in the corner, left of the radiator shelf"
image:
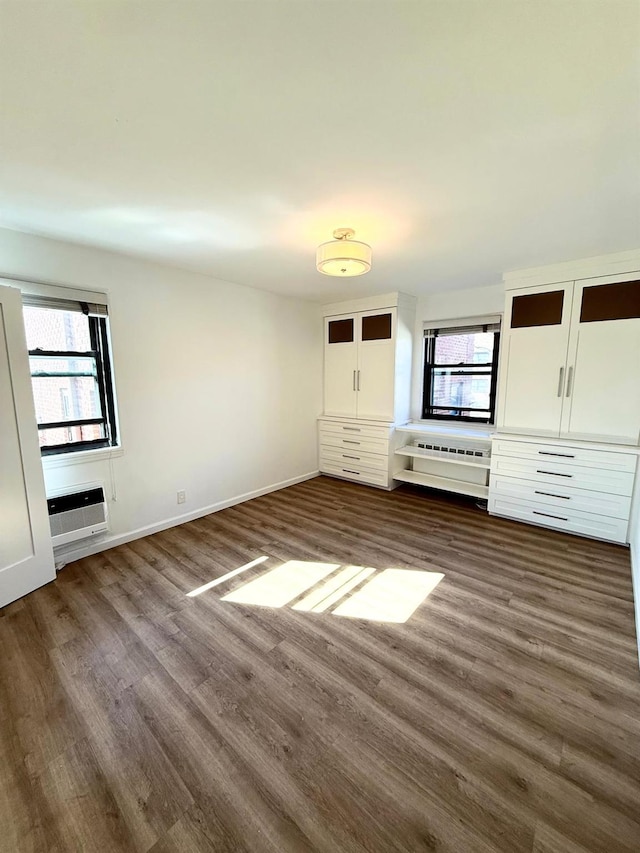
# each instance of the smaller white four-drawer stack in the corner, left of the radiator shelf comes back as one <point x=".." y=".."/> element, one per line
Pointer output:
<point x="356" y="450"/>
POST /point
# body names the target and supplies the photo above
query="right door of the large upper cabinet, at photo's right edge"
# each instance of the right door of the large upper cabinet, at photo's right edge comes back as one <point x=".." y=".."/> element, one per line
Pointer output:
<point x="602" y="398"/>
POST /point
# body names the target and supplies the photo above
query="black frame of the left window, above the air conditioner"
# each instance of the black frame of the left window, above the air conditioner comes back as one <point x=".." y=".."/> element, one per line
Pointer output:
<point x="100" y="352"/>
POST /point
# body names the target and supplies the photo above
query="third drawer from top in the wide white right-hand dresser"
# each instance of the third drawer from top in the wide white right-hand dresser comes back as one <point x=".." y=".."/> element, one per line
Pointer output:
<point x="561" y="497"/>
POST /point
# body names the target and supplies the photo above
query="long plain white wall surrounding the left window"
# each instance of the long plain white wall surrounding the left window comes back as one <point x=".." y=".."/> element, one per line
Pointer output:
<point x="218" y="385"/>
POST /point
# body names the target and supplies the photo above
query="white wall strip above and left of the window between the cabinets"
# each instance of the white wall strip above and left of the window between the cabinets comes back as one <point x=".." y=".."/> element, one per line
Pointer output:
<point x="449" y="305"/>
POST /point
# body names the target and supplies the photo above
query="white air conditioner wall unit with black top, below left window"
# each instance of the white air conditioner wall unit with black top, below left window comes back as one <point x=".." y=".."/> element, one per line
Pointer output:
<point x="77" y="514"/>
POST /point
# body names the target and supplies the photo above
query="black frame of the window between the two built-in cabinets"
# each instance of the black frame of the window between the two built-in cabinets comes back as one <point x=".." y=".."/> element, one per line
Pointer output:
<point x="429" y="366"/>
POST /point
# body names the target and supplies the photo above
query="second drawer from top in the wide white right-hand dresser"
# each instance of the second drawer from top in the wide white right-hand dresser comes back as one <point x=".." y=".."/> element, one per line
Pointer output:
<point x="545" y="470"/>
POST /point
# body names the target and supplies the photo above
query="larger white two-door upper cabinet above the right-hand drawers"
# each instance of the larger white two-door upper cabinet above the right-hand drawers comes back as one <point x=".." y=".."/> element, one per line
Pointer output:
<point x="570" y="362"/>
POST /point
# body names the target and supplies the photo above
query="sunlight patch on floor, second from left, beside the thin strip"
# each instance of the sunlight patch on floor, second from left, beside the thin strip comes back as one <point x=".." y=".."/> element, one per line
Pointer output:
<point x="281" y="585"/>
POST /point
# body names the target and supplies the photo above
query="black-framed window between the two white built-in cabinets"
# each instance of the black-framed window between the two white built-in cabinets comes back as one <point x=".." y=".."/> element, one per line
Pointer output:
<point x="460" y="373"/>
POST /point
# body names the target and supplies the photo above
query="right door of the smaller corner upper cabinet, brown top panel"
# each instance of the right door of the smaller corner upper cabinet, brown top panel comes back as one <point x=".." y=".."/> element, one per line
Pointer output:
<point x="376" y="364"/>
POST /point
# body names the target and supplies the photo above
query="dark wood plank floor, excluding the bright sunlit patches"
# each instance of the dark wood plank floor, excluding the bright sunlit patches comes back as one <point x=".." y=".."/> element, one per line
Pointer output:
<point x="503" y="716"/>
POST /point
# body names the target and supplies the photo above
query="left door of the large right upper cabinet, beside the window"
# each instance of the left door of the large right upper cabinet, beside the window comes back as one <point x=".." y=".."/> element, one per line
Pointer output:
<point x="533" y="369"/>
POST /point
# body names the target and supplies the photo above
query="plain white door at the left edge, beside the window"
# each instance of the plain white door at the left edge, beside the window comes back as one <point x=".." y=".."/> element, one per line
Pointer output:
<point x="26" y="555"/>
